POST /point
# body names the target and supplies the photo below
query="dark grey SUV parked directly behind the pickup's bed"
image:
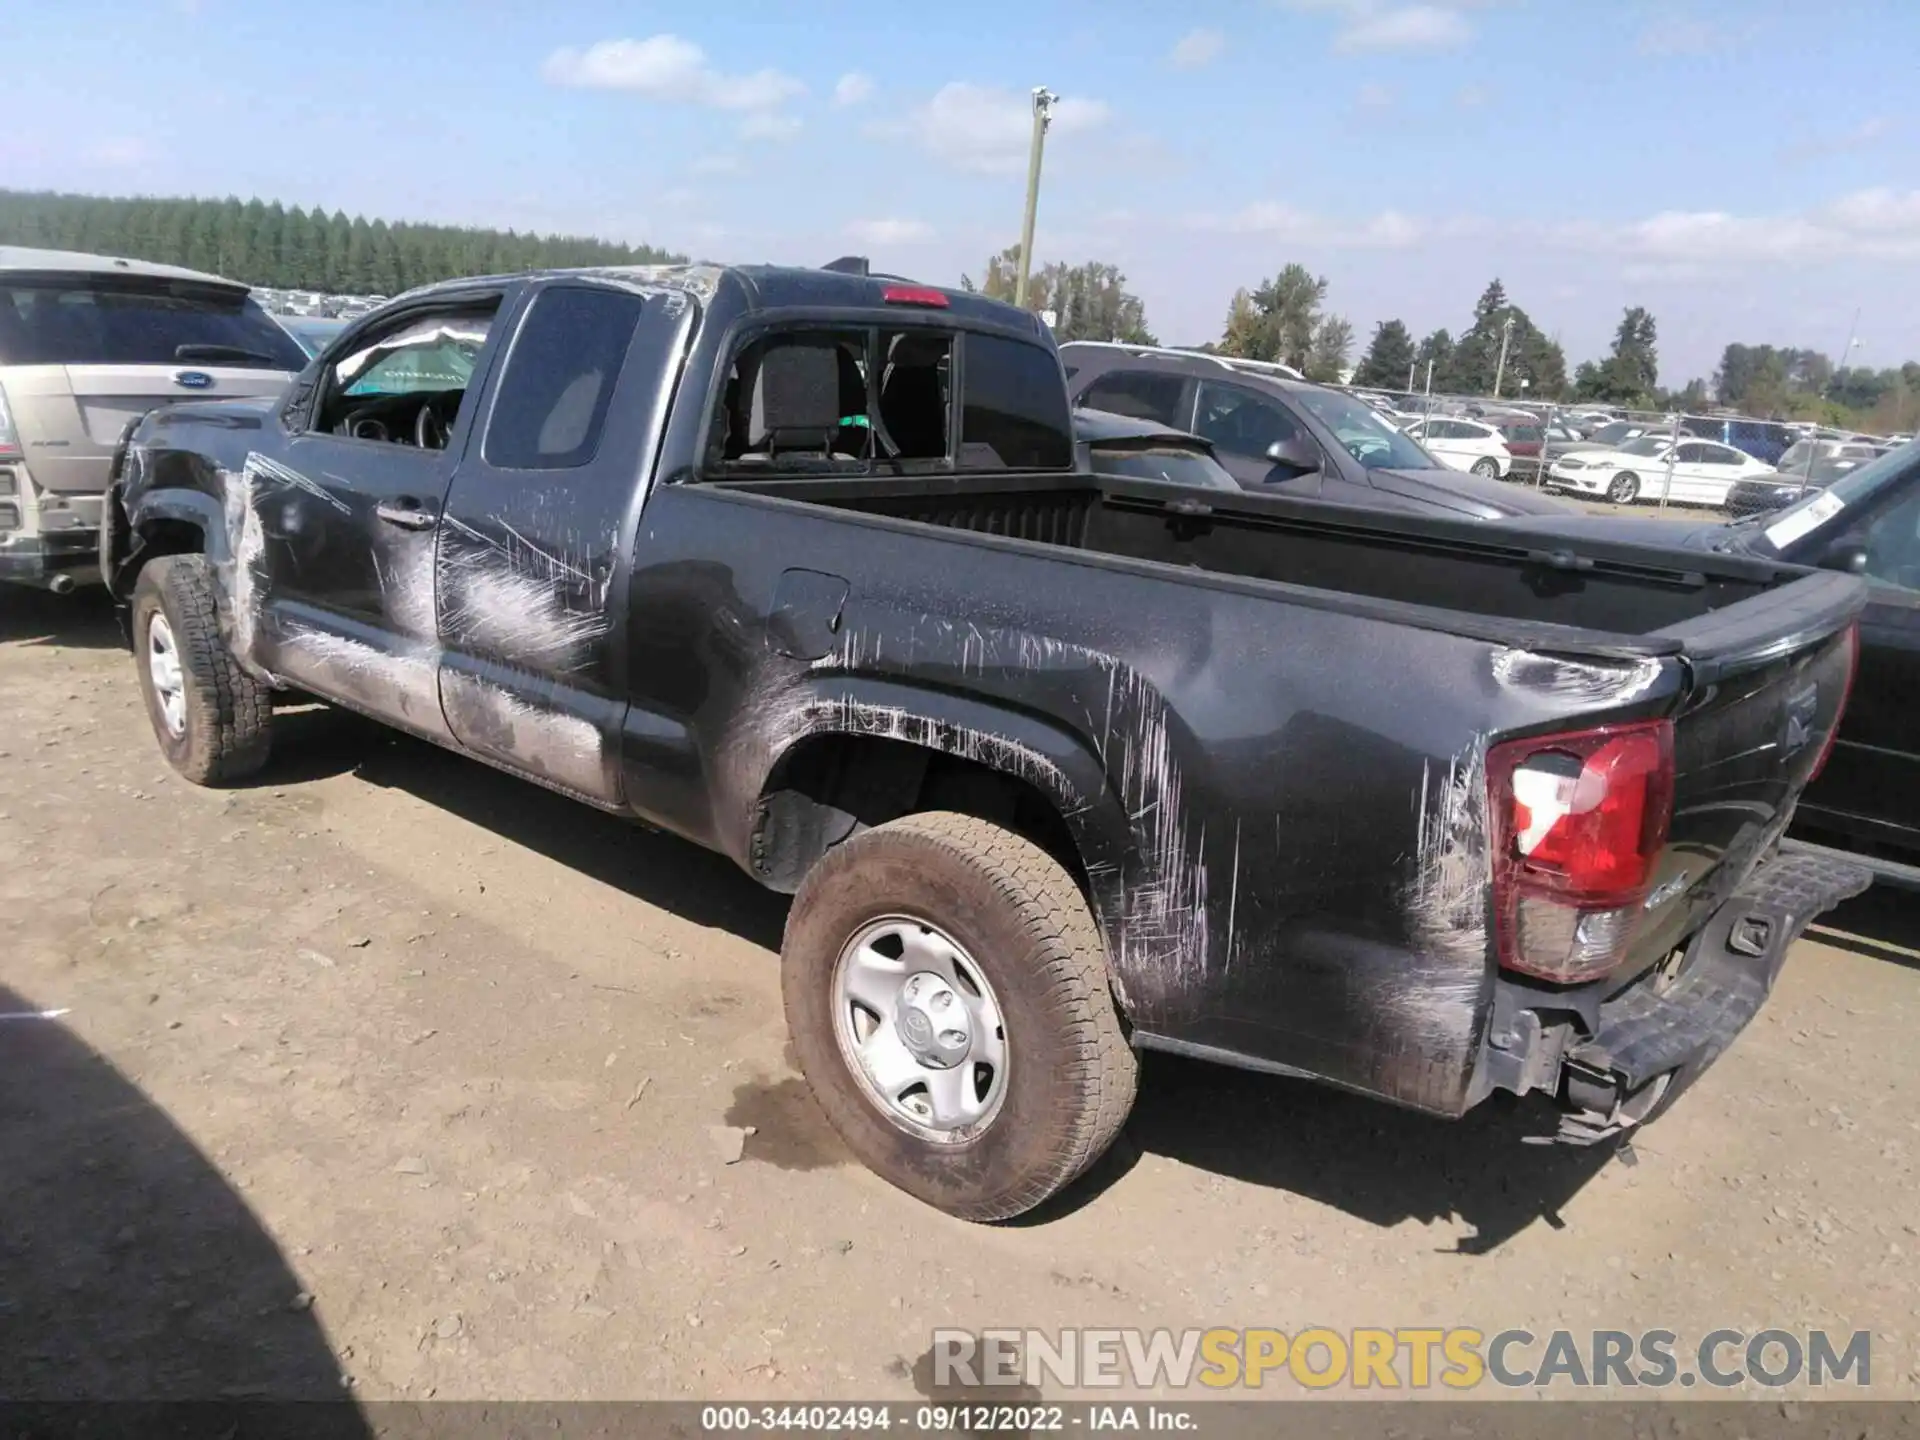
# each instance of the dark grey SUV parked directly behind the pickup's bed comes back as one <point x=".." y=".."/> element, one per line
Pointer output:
<point x="1276" y="433"/>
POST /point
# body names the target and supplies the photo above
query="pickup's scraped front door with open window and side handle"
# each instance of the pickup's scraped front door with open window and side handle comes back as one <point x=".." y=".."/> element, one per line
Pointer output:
<point x="341" y="575"/>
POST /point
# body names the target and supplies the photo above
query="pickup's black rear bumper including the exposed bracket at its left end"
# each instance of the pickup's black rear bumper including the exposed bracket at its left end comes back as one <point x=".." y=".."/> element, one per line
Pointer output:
<point x="1614" y="1065"/>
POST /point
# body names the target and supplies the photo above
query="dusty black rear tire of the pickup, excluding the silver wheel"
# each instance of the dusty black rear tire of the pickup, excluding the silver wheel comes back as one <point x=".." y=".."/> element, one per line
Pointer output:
<point x="1024" y="923"/>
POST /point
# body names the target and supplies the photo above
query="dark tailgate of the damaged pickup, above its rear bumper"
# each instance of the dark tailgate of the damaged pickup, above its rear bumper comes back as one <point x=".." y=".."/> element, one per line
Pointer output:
<point x="1767" y="684"/>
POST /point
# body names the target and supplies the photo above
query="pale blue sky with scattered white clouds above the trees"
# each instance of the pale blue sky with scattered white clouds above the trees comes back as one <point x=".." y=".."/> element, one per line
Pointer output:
<point x="1746" y="170"/>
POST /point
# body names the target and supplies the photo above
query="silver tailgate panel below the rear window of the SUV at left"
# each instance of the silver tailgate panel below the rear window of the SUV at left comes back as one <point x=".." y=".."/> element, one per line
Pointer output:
<point x="70" y="418"/>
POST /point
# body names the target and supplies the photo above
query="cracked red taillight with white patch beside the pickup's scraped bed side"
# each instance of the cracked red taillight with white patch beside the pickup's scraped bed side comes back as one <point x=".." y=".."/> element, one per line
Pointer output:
<point x="1579" y="827"/>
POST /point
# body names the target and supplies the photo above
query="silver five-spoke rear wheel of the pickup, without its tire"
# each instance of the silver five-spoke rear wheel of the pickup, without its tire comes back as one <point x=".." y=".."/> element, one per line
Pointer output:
<point x="921" y="1030"/>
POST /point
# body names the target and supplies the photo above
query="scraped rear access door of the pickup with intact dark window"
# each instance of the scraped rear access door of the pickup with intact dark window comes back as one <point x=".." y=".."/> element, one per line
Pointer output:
<point x="540" y="514"/>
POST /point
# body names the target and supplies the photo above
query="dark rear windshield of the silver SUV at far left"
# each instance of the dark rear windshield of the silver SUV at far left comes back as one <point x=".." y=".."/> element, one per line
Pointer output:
<point x="124" y="322"/>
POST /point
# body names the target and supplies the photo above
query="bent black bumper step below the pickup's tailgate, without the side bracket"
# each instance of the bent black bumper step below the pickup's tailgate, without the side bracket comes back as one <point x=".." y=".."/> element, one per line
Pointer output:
<point x="1654" y="1040"/>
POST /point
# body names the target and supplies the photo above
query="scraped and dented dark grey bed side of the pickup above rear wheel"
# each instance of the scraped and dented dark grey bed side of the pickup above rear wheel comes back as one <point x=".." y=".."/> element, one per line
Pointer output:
<point x="1280" y="807"/>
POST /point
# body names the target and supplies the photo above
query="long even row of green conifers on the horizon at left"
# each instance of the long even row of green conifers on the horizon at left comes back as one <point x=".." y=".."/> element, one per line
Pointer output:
<point x="285" y="247"/>
